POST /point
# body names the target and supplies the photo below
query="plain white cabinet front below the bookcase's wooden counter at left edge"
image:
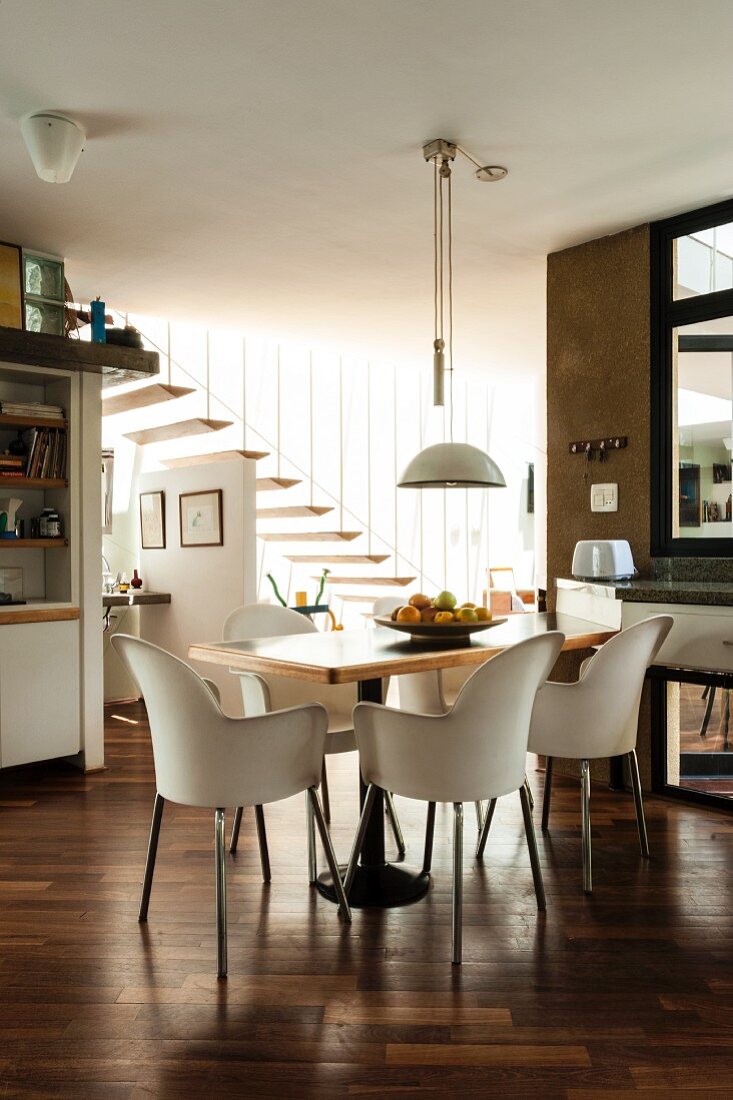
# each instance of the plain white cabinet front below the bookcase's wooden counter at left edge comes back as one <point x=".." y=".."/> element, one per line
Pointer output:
<point x="39" y="691"/>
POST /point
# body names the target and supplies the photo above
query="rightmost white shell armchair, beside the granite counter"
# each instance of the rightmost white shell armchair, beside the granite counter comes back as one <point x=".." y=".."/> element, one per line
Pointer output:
<point x="597" y="718"/>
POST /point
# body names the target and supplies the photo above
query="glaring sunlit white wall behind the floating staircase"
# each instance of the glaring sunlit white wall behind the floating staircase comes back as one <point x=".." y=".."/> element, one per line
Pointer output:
<point x="345" y="428"/>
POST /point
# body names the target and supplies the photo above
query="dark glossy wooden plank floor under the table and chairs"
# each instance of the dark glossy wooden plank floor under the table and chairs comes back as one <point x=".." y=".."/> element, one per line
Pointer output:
<point x="627" y="994"/>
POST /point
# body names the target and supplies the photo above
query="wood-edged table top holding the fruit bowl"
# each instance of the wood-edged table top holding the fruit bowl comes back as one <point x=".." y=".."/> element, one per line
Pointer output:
<point x="347" y="657"/>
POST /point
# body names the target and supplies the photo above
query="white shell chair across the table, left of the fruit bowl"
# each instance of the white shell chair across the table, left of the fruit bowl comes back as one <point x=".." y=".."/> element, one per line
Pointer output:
<point x="262" y="695"/>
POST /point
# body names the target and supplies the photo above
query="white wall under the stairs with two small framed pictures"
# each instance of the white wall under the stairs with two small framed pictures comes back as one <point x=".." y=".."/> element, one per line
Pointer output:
<point x="205" y="582"/>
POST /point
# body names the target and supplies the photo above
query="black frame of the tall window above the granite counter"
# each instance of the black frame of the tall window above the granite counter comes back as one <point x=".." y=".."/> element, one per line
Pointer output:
<point x="666" y="316"/>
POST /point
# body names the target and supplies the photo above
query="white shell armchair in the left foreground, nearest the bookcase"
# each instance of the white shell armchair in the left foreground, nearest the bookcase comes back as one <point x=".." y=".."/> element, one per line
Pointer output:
<point x="204" y="758"/>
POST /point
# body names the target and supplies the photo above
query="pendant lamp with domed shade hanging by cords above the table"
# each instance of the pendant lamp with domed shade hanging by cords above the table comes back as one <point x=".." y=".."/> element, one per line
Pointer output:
<point x="448" y="466"/>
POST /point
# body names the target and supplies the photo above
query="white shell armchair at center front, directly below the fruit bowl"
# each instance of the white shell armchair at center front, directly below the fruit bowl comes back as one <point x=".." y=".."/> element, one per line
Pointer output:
<point x="476" y="752"/>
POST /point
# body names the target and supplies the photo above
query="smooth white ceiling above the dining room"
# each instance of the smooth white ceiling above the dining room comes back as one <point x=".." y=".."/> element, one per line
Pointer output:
<point x="257" y="162"/>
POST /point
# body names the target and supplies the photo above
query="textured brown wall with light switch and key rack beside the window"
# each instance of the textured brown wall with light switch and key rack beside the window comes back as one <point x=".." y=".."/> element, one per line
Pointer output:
<point x="598" y="384"/>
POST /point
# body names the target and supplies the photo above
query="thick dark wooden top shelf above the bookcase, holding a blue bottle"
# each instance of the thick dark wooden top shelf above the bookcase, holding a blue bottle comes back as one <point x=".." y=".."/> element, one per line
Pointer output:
<point x="113" y="361"/>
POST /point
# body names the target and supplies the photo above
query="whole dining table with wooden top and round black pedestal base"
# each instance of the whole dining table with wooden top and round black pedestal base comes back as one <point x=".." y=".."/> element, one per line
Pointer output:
<point x="367" y="657"/>
